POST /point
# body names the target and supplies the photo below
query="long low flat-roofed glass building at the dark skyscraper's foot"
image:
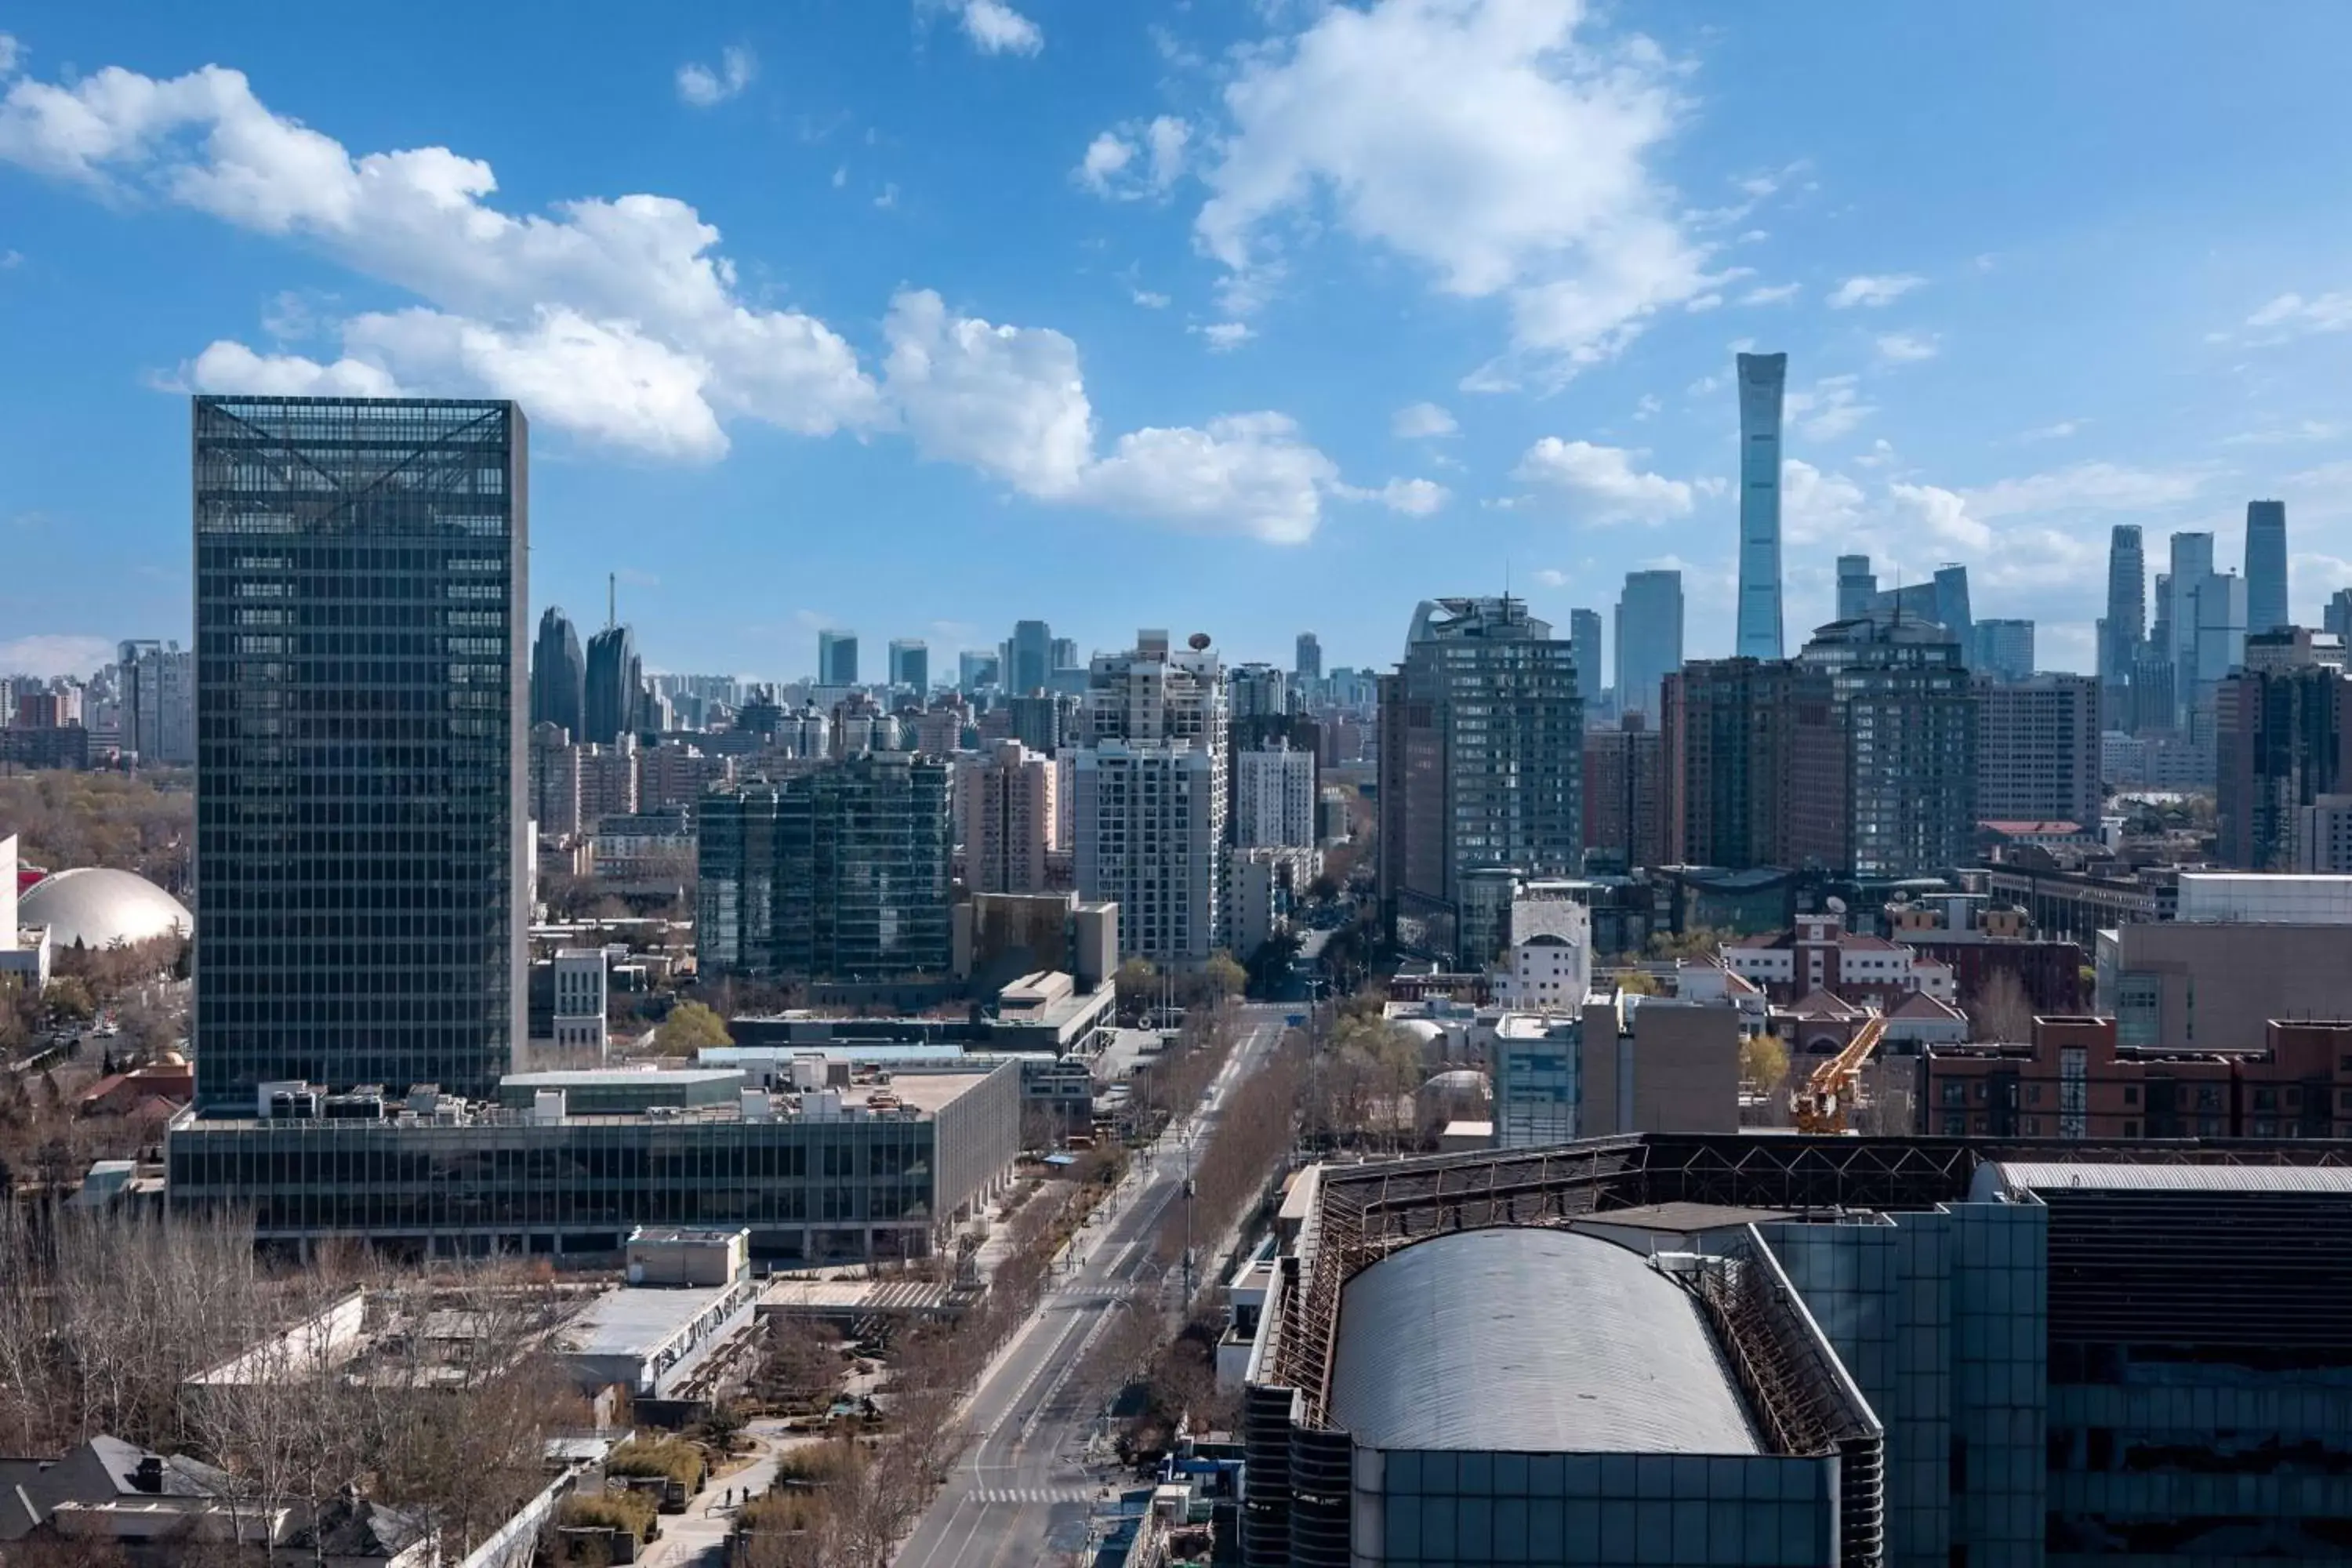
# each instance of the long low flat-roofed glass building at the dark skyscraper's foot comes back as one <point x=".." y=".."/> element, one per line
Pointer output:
<point x="838" y="1174"/>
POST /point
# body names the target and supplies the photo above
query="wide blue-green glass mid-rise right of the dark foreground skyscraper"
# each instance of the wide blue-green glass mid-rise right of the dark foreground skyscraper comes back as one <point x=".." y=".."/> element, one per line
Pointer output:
<point x="838" y="876"/>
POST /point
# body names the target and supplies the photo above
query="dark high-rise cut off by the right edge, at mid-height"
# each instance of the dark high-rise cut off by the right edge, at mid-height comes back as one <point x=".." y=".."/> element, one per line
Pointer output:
<point x="2283" y="739"/>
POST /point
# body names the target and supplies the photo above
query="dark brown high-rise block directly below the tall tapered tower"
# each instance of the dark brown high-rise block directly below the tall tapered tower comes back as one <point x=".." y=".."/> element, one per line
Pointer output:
<point x="1725" y="742"/>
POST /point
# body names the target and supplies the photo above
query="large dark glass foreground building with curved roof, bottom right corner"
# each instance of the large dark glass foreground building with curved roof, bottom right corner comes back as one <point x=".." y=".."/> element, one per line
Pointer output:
<point x="1810" y="1351"/>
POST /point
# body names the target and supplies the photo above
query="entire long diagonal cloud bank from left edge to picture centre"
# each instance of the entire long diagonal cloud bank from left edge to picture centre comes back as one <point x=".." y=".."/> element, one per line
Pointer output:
<point x="622" y="323"/>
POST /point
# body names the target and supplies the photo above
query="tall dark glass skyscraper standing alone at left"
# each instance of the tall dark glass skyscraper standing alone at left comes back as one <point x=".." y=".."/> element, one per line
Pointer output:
<point x="361" y="713"/>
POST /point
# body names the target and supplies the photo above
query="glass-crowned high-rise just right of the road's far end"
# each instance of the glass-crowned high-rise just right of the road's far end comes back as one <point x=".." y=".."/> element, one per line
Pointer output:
<point x="1481" y="760"/>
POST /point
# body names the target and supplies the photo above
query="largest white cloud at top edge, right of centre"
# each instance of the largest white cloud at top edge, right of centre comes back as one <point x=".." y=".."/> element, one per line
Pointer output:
<point x="1490" y="142"/>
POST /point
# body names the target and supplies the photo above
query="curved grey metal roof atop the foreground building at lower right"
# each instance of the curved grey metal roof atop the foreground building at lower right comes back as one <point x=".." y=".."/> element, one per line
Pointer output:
<point x="1530" y="1341"/>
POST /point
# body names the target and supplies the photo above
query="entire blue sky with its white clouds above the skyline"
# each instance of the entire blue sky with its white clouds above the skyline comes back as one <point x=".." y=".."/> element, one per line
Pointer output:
<point x="1217" y="316"/>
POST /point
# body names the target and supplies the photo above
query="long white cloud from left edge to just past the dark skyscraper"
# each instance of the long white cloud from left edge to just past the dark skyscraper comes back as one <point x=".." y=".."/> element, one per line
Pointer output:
<point x="639" y="272"/>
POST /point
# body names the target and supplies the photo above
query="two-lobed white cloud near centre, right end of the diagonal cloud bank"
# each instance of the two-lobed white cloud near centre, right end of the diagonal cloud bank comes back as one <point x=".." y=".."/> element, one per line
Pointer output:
<point x="1013" y="403"/>
